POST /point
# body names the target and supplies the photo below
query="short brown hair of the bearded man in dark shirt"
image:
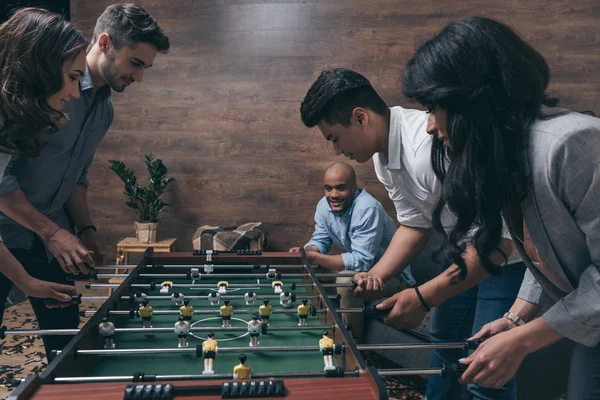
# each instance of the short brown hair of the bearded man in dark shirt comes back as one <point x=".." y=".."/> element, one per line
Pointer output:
<point x="129" y="24"/>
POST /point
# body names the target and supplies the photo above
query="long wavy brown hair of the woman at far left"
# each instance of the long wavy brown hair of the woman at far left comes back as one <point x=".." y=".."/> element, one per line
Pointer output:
<point x="34" y="46"/>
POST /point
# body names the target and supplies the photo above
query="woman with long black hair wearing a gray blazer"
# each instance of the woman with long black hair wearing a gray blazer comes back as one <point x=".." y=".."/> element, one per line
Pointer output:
<point x="505" y="152"/>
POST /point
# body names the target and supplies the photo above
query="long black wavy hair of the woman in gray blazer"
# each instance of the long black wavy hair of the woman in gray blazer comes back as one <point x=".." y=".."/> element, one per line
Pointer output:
<point x="492" y="84"/>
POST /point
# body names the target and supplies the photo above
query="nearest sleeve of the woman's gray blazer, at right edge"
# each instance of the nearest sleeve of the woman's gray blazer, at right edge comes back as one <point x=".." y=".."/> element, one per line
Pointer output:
<point x="576" y="180"/>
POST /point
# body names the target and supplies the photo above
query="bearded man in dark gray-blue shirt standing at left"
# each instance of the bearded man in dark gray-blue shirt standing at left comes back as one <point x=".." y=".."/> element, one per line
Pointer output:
<point x="41" y="198"/>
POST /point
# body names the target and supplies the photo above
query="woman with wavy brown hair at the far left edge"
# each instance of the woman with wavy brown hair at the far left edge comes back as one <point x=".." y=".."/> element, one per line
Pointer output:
<point x="42" y="58"/>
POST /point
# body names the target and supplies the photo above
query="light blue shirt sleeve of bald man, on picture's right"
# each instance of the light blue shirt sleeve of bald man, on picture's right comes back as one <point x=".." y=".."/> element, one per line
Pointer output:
<point x="366" y="235"/>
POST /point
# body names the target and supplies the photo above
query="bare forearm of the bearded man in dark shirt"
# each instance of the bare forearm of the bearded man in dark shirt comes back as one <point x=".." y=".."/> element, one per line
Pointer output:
<point x="16" y="206"/>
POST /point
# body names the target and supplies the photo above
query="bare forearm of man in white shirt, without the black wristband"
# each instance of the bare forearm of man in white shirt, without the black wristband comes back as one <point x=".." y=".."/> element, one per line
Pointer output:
<point x="406" y="244"/>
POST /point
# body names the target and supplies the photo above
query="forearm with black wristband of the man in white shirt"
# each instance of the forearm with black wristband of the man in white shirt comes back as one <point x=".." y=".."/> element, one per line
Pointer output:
<point x="446" y="286"/>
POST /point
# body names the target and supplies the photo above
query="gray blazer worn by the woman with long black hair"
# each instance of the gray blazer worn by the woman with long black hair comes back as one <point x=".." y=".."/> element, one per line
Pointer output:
<point x="563" y="217"/>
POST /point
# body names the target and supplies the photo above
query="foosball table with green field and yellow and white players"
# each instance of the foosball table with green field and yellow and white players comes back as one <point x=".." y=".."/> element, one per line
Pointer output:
<point x="212" y="325"/>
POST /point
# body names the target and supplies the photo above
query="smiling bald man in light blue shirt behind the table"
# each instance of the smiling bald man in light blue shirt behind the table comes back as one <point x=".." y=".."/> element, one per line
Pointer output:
<point x="359" y="226"/>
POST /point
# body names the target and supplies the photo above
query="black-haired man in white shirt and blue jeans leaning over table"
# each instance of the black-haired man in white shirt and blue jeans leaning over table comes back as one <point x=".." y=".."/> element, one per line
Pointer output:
<point x="350" y="114"/>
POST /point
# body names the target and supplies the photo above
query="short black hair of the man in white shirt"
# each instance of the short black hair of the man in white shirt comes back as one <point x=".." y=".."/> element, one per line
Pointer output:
<point x="334" y="95"/>
